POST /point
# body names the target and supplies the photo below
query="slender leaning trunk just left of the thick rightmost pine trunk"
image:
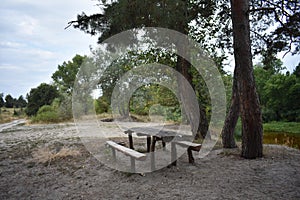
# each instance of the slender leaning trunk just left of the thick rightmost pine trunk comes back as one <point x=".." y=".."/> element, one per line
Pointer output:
<point x="232" y="116"/>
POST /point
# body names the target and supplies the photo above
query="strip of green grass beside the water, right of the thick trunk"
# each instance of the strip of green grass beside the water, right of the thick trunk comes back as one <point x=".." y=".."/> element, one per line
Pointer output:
<point x="286" y="127"/>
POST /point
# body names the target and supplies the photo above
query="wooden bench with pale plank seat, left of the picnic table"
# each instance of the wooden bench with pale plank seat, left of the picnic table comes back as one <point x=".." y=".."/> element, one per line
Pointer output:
<point x="134" y="155"/>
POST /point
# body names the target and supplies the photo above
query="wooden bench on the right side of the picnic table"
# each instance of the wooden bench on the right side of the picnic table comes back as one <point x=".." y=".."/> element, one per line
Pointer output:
<point x="190" y="147"/>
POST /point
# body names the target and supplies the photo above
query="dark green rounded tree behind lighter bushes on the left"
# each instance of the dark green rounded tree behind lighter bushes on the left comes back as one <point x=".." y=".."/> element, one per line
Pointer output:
<point x="44" y="94"/>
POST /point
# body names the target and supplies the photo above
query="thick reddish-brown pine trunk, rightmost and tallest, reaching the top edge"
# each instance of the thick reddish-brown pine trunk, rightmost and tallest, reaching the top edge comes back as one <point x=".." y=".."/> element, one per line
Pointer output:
<point x="252" y="132"/>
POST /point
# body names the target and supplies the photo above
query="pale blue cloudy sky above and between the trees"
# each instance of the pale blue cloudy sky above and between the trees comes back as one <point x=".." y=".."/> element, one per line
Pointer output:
<point x="33" y="41"/>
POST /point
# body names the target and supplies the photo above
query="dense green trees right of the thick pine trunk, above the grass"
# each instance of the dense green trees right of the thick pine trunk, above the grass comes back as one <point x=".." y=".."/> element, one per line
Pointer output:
<point x="279" y="93"/>
